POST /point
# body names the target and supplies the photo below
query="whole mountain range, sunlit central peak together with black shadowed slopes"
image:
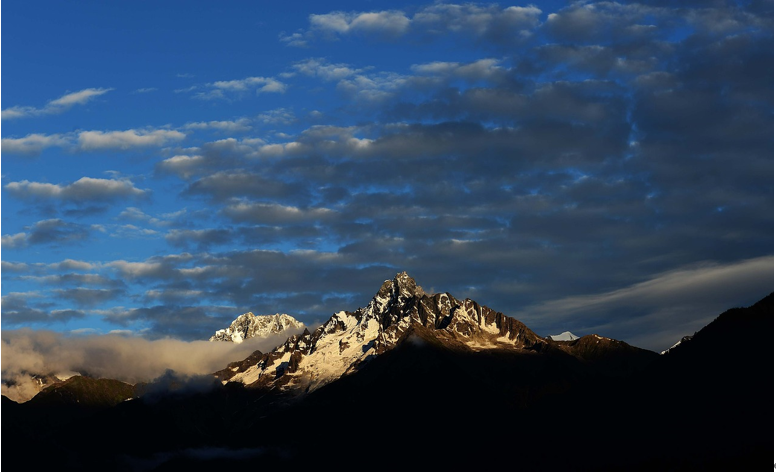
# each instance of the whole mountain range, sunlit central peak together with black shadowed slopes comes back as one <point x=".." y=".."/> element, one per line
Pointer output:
<point x="437" y="389"/>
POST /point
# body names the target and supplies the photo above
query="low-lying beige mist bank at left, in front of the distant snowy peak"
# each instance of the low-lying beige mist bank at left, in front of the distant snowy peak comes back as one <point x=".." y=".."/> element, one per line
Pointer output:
<point x="130" y="359"/>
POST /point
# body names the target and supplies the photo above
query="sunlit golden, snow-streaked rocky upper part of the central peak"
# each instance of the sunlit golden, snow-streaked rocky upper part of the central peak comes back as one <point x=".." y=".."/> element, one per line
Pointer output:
<point x="401" y="312"/>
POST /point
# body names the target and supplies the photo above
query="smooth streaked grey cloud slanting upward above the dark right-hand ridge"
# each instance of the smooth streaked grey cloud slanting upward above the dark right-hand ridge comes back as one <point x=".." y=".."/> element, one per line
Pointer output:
<point x="661" y="310"/>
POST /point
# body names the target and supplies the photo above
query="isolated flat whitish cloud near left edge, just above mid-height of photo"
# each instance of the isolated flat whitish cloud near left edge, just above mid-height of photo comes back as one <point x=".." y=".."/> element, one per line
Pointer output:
<point x="84" y="189"/>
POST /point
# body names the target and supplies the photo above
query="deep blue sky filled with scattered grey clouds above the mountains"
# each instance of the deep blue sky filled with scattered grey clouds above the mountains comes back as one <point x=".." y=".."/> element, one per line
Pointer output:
<point x="597" y="167"/>
